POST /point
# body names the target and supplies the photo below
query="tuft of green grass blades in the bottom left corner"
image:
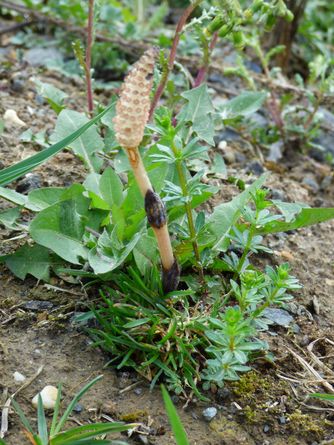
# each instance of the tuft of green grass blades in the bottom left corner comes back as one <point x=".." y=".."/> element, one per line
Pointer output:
<point x="83" y="435"/>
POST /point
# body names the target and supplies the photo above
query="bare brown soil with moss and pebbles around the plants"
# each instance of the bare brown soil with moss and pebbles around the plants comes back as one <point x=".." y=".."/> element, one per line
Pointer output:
<point x="267" y="406"/>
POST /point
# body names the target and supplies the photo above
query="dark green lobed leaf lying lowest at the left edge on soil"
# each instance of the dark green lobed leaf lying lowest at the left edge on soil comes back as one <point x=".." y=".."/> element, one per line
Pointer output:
<point x="34" y="260"/>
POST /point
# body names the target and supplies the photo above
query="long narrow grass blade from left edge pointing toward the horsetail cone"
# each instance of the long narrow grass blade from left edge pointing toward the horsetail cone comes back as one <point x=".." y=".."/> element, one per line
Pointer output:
<point x="19" y="169"/>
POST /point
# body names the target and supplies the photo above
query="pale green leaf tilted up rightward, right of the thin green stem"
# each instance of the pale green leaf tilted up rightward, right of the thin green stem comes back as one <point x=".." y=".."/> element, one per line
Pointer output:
<point x="226" y="215"/>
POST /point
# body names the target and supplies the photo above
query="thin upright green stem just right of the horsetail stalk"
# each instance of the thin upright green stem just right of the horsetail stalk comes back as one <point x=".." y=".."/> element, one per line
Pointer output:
<point x="187" y="205"/>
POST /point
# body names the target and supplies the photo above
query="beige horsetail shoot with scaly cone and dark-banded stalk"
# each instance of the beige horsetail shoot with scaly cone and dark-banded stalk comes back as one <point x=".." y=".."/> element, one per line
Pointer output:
<point x="132" y="111"/>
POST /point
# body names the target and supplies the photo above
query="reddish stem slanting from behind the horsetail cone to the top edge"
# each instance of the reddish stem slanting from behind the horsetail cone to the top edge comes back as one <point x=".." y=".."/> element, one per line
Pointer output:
<point x="172" y="55"/>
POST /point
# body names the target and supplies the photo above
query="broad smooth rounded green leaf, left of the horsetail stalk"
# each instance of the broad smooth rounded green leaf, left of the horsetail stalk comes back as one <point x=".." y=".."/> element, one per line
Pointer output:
<point x="60" y="227"/>
